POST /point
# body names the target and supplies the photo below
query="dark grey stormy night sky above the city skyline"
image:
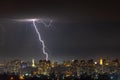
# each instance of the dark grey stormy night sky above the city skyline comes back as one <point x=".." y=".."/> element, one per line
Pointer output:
<point x="80" y="30"/>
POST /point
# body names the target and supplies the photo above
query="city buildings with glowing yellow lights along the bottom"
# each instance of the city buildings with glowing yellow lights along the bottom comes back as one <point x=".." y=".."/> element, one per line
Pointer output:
<point x="103" y="69"/>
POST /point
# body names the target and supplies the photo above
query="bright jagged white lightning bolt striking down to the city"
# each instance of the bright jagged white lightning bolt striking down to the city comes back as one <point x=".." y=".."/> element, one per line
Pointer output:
<point x="40" y="39"/>
